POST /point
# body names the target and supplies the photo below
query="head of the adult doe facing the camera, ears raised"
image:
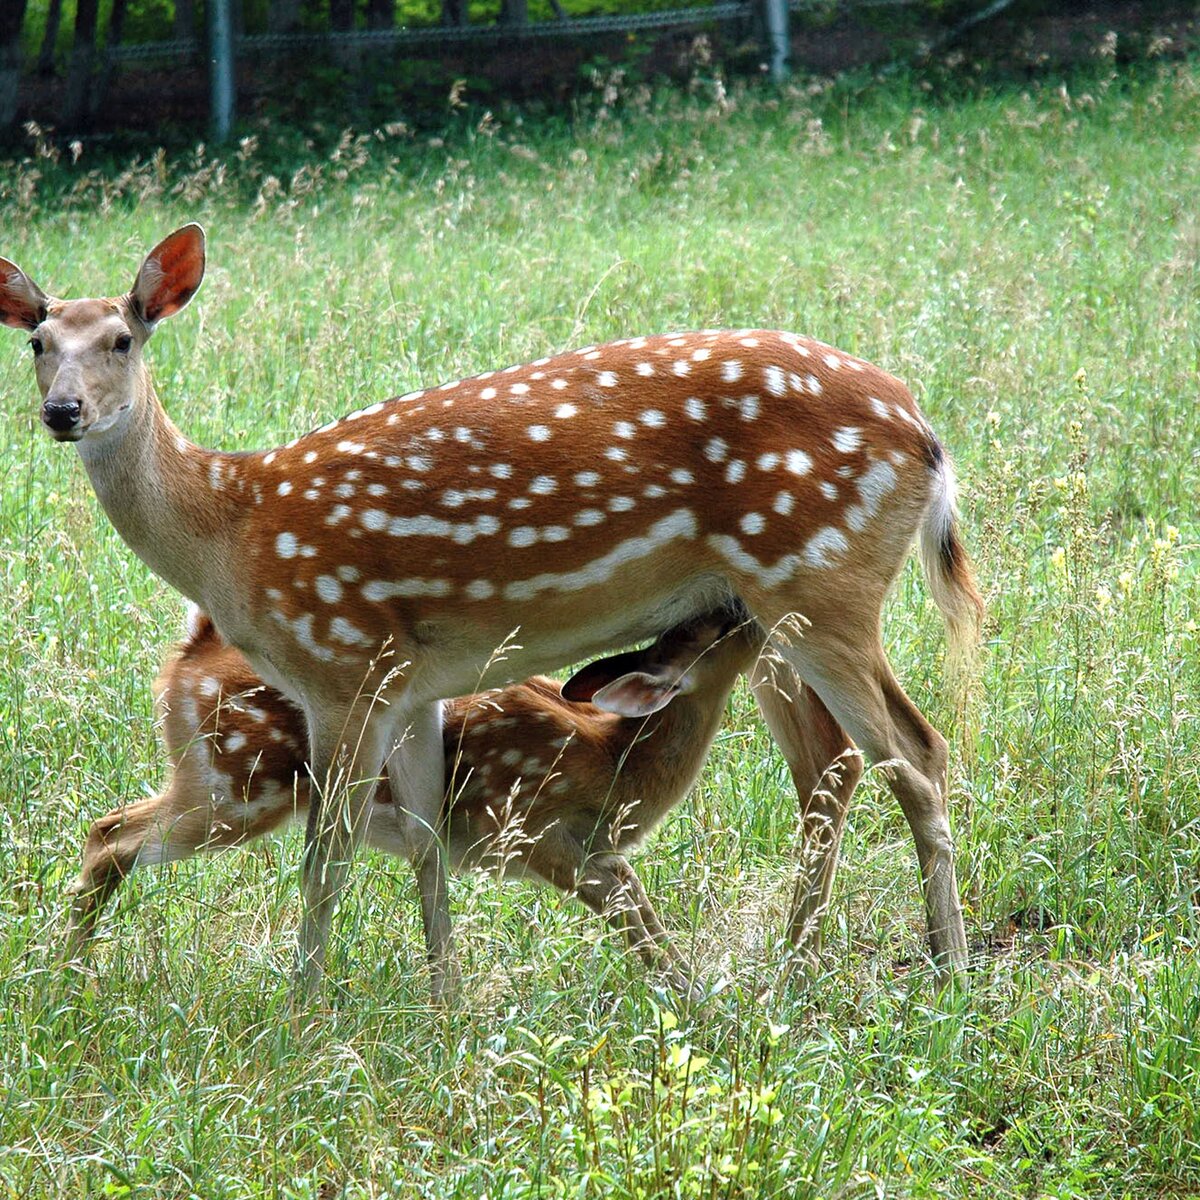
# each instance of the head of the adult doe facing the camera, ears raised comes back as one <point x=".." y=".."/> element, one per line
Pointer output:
<point x="88" y="353"/>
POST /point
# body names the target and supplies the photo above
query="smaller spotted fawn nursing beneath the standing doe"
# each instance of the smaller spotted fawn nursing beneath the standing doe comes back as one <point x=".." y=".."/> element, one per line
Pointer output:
<point x="536" y="785"/>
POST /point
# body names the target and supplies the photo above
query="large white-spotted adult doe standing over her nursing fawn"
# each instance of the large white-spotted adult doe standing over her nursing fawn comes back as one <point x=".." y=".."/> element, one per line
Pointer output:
<point x="590" y="500"/>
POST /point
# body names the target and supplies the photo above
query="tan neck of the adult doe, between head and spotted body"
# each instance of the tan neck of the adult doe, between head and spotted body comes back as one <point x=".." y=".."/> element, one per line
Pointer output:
<point x="170" y="500"/>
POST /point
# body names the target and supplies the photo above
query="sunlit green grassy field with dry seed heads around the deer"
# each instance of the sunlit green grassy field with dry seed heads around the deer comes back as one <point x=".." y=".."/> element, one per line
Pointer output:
<point x="1027" y="260"/>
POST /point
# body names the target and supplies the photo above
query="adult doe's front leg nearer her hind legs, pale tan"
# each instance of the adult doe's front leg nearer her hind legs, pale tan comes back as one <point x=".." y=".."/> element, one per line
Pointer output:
<point x="417" y="778"/>
